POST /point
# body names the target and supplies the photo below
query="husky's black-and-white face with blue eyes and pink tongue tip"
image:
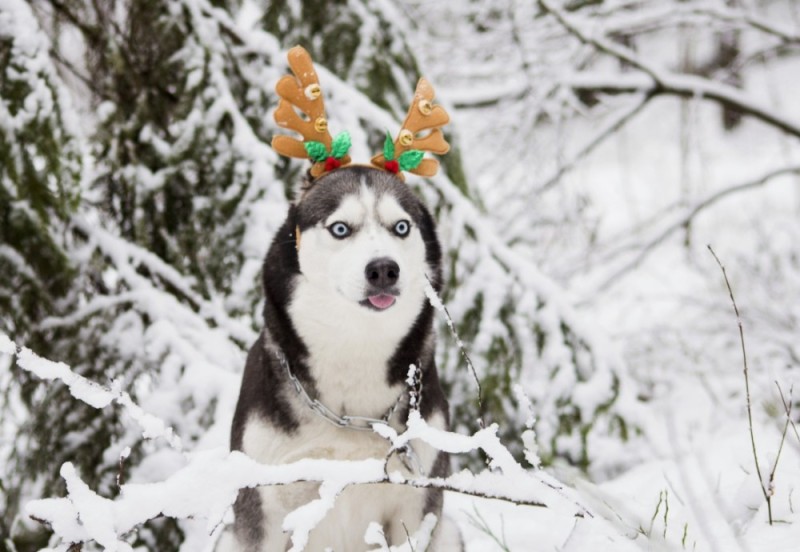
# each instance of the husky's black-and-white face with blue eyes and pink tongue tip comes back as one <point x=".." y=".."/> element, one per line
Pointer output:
<point x="367" y="245"/>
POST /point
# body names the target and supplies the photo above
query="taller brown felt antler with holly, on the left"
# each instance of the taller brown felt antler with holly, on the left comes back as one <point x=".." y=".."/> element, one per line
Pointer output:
<point x="304" y="93"/>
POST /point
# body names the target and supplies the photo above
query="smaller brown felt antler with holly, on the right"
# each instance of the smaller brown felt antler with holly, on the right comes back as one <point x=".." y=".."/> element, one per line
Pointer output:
<point x="422" y="115"/>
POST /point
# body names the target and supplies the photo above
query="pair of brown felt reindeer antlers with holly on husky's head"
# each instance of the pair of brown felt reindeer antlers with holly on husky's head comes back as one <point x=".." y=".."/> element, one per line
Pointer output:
<point x="404" y="153"/>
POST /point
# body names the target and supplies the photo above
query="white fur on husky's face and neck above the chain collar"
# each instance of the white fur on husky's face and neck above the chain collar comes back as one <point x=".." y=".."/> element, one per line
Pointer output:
<point x="350" y="344"/>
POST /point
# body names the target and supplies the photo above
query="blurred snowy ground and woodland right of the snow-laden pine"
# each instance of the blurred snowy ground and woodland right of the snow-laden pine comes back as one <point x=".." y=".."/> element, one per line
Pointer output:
<point x="693" y="484"/>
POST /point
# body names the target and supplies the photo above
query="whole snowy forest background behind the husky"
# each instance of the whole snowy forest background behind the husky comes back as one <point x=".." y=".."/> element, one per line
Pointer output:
<point x="599" y="147"/>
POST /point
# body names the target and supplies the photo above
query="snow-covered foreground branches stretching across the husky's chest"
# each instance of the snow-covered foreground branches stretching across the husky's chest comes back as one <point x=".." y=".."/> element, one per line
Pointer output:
<point x="84" y="516"/>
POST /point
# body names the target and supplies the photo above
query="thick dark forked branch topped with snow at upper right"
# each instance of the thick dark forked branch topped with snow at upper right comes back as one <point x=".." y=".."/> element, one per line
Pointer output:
<point x="663" y="81"/>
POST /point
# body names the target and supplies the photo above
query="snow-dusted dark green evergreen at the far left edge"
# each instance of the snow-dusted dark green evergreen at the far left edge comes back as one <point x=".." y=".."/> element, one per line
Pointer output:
<point x="40" y="166"/>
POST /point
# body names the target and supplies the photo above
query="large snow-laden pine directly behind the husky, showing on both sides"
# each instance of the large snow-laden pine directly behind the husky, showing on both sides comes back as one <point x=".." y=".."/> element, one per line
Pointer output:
<point x="179" y="205"/>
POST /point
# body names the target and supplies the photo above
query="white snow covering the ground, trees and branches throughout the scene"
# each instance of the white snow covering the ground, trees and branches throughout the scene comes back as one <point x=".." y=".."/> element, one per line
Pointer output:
<point x="563" y="225"/>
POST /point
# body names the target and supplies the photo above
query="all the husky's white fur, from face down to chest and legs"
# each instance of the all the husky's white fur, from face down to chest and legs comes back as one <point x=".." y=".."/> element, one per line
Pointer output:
<point x="349" y="347"/>
